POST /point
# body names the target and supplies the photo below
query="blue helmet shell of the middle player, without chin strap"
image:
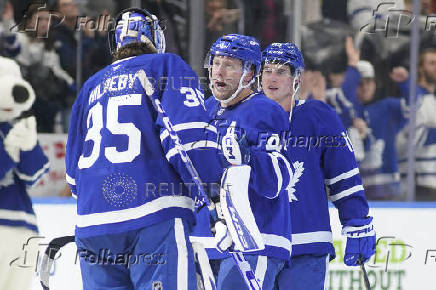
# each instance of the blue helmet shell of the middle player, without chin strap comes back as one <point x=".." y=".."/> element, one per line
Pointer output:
<point x="242" y="47"/>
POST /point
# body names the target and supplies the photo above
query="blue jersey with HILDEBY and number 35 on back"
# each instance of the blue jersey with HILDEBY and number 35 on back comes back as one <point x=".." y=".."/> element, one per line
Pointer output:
<point x="121" y="162"/>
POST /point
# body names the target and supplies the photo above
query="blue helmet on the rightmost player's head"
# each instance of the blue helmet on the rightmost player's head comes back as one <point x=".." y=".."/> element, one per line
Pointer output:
<point x="285" y="53"/>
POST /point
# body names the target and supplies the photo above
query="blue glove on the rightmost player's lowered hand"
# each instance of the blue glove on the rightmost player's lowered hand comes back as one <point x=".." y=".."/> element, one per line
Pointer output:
<point x="361" y="241"/>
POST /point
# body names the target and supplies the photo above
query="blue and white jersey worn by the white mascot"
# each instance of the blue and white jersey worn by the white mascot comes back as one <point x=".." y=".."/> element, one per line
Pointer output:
<point x="15" y="204"/>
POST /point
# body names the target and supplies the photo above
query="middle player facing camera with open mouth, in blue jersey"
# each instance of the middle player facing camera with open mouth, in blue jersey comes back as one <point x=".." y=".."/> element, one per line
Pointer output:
<point x="234" y="63"/>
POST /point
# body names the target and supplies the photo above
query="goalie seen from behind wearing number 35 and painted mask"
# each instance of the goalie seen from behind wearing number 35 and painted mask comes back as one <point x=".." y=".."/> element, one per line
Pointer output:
<point x="135" y="198"/>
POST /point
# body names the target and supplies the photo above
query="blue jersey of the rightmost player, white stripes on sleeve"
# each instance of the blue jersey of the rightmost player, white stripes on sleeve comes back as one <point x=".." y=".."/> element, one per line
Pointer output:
<point x="324" y="169"/>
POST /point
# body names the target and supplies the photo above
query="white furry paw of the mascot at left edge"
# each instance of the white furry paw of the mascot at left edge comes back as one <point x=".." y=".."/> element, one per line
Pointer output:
<point x="22" y="137"/>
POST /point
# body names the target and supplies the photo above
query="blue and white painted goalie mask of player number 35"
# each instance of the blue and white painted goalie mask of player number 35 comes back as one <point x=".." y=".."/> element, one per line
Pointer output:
<point x="137" y="25"/>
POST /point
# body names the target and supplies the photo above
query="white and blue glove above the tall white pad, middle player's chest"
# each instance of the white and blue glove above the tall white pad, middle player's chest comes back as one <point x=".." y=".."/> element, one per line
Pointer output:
<point x="235" y="148"/>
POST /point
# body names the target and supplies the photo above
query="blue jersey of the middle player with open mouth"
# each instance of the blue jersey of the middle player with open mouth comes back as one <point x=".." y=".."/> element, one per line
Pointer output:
<point x="259" y="118"/>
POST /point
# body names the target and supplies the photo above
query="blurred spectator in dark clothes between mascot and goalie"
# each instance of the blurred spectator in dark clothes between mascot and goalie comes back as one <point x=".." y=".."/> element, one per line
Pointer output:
<point x="41" y="67"/>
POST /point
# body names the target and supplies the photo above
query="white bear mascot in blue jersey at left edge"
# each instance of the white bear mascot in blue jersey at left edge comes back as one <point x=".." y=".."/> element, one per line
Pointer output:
<point x="22" y="163"/>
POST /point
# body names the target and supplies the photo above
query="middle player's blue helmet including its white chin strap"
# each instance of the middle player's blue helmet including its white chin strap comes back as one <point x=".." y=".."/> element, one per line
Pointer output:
<point x="242" y="47"/>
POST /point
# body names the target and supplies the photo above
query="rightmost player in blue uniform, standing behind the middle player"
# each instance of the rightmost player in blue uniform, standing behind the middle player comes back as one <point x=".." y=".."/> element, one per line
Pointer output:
<point x="323" y="156"/>
